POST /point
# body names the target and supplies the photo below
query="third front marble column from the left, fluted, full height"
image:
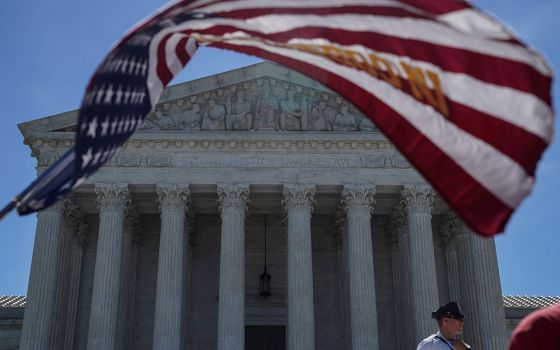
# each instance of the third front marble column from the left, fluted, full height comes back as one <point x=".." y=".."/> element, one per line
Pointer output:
<point x="167" y="320"/>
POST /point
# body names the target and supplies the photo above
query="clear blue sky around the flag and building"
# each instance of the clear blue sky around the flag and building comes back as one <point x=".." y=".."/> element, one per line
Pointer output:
<point x="49" y="50"/>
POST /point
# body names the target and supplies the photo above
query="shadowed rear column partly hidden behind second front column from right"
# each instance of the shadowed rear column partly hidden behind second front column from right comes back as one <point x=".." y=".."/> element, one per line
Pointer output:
<point x="401" y="268"/>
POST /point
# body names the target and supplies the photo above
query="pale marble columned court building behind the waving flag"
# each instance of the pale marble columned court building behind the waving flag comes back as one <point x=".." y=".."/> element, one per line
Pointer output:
<point x="164" y="247"/>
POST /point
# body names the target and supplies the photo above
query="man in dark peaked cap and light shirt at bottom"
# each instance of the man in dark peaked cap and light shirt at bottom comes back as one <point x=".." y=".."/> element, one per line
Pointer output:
<point x="450" y="321"/>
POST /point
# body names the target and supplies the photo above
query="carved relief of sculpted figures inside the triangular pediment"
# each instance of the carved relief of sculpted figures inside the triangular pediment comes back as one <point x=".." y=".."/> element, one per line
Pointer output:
<point x="260" y="104"/>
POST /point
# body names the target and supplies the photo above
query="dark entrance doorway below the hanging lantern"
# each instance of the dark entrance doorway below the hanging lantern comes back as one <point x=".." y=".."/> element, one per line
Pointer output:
<point x="265" y="338"/>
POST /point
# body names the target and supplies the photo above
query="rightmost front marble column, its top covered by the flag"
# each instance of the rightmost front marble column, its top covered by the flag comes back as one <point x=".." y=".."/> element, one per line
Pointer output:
<point x="481" y="290"/>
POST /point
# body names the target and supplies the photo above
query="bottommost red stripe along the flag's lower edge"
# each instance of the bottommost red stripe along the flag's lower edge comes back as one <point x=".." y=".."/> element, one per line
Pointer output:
<point x="479" y="208"/>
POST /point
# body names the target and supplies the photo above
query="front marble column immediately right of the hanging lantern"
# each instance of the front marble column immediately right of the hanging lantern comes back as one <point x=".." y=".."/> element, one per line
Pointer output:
<point x="298" y="200"/>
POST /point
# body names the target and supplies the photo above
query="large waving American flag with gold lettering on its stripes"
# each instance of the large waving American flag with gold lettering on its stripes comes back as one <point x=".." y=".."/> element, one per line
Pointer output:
<point x="458" y="94"/>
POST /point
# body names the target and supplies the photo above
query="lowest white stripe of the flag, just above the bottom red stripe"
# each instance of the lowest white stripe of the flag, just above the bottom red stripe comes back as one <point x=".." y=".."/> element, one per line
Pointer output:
<point x="493" y="170"/>
